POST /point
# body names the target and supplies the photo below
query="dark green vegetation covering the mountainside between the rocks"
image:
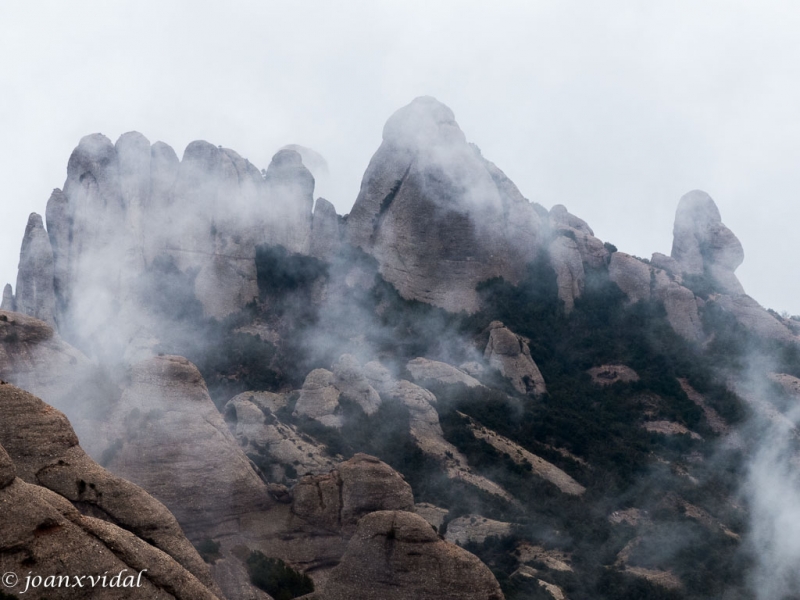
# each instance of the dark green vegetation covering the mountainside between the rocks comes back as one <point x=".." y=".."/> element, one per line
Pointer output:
<point x="594" y="433"/>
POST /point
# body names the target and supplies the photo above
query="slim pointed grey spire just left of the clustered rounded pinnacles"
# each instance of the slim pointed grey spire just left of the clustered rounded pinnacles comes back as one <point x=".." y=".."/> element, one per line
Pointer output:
<point x="35" y="294"/>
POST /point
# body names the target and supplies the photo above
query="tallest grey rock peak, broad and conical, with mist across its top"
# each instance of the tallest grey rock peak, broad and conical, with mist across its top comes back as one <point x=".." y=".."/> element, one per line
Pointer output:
<point x="436" y="215"/>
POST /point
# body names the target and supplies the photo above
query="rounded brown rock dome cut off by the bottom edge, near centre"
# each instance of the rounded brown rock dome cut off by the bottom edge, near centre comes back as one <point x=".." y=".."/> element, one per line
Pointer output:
<point x="416" y="564"/>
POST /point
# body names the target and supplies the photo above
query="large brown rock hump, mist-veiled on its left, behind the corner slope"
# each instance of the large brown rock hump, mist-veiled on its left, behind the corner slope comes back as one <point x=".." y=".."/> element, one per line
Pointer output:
<point x="165" y="417"/>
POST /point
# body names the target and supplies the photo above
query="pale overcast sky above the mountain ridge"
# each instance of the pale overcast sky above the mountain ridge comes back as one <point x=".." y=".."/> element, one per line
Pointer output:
<point x="614" y="109"/>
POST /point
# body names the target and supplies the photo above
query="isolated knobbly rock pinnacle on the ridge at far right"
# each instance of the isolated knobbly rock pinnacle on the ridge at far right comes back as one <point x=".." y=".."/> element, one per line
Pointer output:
<point x="703" y="244"/>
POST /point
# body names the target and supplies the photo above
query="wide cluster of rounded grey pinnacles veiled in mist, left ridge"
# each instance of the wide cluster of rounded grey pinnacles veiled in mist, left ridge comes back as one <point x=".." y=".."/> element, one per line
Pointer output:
<point x="131" y="210"/>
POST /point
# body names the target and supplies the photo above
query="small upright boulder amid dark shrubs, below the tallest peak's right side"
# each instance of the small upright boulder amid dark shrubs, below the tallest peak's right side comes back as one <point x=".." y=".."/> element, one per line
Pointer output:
<point x="509" y="353"/>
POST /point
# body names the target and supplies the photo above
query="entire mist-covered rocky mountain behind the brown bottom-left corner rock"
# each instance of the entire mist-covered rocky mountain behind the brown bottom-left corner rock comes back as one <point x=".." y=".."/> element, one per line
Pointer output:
<point x="295" y="384"/>
